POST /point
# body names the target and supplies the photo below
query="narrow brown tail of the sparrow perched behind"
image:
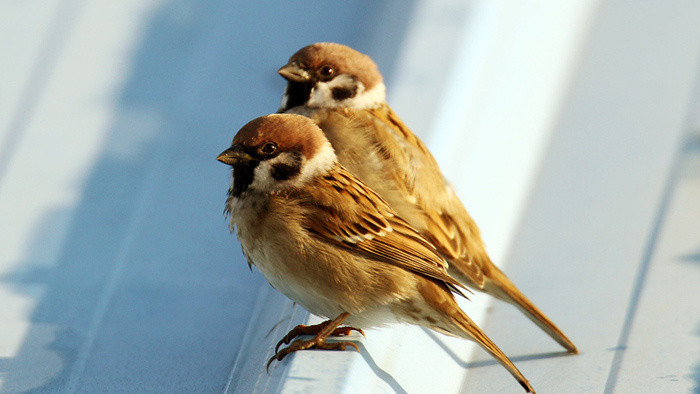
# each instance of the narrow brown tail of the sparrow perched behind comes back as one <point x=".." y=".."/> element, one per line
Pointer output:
<point x="506" y="290"/>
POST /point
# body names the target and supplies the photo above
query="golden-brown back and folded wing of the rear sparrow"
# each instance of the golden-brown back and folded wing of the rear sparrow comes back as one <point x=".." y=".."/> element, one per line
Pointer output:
<point x="411" y="182"/>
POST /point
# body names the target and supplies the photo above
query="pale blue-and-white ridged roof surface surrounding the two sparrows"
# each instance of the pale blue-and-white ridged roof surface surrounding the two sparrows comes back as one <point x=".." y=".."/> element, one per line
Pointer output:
<point x="116" y="269"/>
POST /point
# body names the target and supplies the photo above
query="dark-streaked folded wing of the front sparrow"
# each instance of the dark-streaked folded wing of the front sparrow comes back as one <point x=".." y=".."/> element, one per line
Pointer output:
<point x="345" y="212"/>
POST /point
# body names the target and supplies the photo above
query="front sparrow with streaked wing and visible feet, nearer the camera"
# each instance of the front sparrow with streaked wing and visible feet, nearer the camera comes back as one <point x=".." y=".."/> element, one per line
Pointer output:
<point x="328" y="242"/>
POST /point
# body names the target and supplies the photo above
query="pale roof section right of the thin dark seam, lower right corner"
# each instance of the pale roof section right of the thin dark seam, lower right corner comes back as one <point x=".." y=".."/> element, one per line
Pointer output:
<point x="666" y="322"/>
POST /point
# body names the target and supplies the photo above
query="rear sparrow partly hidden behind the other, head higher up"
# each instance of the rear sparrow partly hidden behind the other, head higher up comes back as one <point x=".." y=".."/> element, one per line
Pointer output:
<point x="342" y="90"/>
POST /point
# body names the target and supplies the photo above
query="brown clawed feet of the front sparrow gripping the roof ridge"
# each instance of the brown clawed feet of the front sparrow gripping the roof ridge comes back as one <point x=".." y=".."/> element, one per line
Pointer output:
<point x="322" y="332"/>
